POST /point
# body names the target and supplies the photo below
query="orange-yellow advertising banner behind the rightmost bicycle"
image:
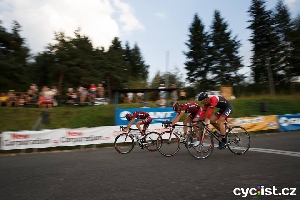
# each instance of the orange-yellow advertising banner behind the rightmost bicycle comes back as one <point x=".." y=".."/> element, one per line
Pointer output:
<point x="256" y="123"/>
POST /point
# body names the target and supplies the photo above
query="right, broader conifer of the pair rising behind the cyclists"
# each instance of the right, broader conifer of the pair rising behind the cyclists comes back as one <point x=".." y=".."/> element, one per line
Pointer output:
<point x="223" y="49"/>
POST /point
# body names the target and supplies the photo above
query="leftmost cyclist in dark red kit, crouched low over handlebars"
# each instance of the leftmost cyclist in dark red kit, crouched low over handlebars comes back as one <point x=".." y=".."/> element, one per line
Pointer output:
<point x="144" y="118"/>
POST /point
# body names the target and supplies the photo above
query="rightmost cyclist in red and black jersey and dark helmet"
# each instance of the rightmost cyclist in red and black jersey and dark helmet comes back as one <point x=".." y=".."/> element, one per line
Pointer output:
<point x="220" y="117"/>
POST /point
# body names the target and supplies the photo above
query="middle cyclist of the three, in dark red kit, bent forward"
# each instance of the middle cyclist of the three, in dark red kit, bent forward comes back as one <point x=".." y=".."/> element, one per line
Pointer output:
<point x="193" y="109"/>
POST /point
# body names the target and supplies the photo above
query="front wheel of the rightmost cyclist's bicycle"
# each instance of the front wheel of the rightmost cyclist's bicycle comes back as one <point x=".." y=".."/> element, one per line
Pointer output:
<point x="205" y="147"/>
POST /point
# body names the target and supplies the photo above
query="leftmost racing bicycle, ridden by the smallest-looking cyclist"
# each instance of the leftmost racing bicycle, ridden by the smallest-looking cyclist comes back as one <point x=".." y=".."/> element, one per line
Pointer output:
<point x="125" y="141"/>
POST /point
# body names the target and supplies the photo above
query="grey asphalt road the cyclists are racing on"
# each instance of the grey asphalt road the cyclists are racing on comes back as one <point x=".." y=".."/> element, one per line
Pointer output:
<point x="273" y="162"/>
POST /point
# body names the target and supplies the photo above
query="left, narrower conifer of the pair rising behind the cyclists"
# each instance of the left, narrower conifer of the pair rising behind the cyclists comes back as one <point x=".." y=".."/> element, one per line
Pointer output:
<point x="197" y="63"/>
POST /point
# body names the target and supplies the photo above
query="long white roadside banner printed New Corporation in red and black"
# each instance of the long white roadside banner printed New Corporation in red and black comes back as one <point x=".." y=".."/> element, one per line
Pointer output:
<point x="62" y="137"/>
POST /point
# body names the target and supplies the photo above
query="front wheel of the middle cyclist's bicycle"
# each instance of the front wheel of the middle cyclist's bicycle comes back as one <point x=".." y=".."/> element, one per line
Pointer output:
<point x="168" y="144"/>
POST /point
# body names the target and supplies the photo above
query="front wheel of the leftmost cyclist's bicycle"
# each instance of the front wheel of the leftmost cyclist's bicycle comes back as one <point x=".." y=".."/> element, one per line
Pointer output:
<point x="124" y="143"/>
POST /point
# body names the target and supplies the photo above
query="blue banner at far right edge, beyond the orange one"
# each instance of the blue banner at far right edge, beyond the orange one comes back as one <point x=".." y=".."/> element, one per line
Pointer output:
<point x="289" y="122"/>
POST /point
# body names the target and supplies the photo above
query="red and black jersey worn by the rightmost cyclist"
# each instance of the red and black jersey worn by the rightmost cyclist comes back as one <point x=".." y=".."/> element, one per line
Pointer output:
<point x="218" y="102"/>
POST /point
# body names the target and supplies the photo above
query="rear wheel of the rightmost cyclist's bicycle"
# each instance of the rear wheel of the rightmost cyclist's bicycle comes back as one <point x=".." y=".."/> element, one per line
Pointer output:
<point x="238" y="140"/>
